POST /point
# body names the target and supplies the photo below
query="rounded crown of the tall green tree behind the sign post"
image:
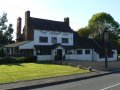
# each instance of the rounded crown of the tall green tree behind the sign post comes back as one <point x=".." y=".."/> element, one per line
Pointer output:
<point x="100" y="20"/>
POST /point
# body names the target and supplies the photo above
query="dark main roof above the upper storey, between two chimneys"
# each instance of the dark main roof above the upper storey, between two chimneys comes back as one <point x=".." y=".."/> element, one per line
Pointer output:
<point x="45" y="24"/>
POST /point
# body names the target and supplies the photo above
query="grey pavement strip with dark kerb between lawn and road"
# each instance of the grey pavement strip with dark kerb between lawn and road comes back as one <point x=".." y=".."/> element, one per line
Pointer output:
<point x="26" y="85"/>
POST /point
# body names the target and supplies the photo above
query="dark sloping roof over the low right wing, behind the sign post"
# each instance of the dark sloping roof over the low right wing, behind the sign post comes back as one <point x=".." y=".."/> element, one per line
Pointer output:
<point x="86" y="43"/>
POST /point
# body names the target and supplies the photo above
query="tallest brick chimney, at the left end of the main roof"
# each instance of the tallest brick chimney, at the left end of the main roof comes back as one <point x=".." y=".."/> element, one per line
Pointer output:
<point x="27" y="26"/>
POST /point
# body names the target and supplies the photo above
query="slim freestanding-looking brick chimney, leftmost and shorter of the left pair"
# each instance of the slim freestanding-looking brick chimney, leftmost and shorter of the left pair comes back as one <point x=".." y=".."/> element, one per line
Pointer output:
<point x="18" y="34"/>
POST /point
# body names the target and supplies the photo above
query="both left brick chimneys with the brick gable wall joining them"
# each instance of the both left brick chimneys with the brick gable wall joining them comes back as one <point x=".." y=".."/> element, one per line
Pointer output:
<point x="27" y="32"/>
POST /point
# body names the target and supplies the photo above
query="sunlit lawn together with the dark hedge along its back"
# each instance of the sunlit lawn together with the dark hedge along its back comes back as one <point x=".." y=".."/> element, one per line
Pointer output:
<point x="14" y="69"/>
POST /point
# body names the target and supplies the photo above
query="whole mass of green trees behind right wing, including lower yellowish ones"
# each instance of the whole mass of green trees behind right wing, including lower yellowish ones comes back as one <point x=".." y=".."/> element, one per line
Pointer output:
<point x="96" y="26"/>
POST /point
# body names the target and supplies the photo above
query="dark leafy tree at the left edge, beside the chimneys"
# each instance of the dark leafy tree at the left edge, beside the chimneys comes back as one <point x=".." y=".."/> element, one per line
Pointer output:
<point x="6" y="31"/>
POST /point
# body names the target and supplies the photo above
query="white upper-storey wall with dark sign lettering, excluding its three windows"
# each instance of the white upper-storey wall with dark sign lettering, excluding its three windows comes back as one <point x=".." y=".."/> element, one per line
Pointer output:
<point x="49" y="34"/>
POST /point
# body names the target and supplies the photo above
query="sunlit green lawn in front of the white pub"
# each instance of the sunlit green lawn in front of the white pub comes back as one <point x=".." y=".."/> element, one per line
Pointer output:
<point x="29" y="71"/>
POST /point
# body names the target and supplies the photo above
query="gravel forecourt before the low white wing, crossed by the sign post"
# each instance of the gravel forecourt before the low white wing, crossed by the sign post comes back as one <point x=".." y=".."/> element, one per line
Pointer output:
<point x="98" y="65"/>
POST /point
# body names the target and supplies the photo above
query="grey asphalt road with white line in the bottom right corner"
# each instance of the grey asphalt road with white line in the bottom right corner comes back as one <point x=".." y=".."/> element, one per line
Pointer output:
<point x="107" y="82"/>
